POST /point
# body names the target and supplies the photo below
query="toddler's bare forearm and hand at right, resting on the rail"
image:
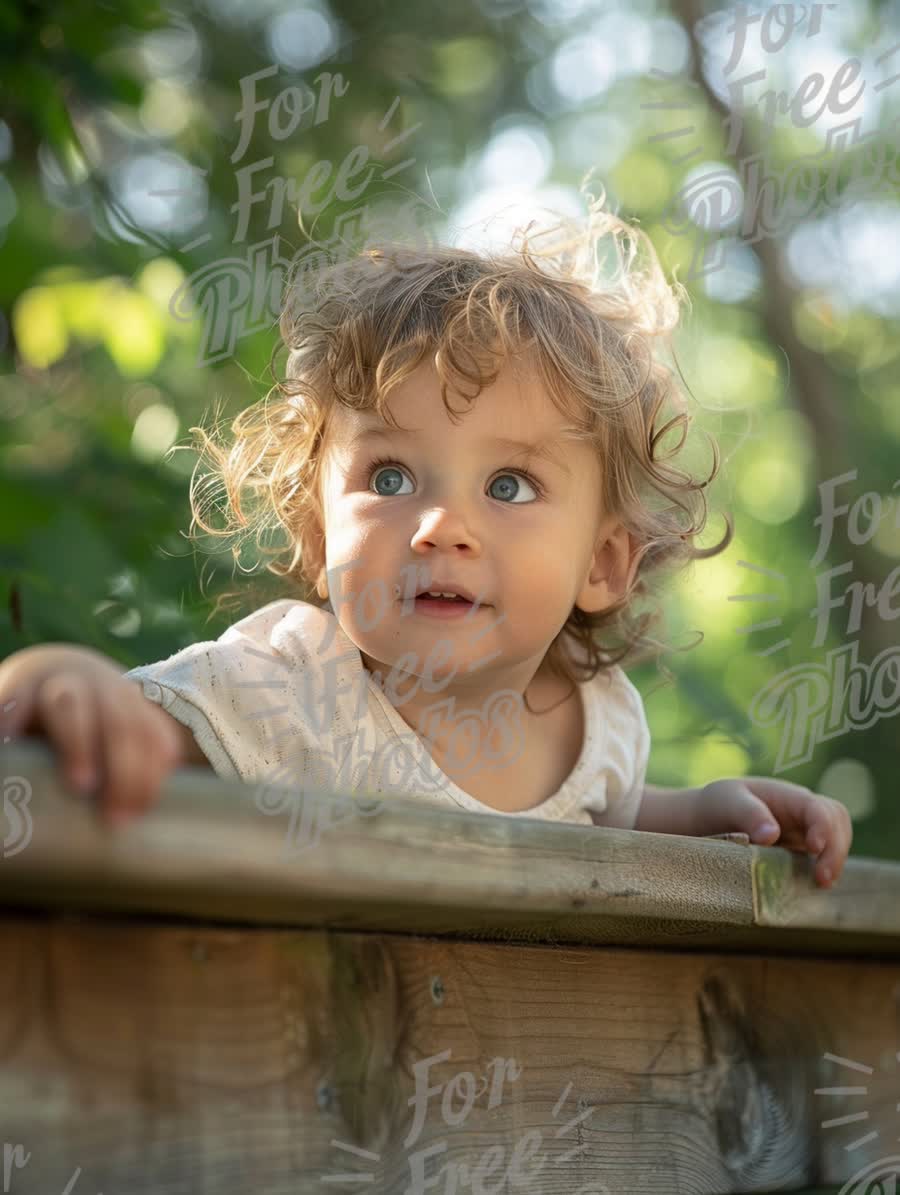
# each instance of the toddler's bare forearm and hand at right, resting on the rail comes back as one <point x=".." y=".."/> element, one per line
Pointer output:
<point x="768" y="811"/>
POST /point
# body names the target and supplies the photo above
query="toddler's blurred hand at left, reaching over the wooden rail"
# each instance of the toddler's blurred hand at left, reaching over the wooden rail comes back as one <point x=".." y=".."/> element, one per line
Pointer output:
<point x="108" y="737"/>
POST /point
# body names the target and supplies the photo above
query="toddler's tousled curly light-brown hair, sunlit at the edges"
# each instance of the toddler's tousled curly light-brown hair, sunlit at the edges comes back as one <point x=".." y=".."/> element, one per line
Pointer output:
<point x="363" y="326"/>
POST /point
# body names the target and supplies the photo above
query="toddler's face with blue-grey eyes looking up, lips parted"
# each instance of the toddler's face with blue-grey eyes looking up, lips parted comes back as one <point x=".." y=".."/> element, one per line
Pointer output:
<point x="452" y="507"/>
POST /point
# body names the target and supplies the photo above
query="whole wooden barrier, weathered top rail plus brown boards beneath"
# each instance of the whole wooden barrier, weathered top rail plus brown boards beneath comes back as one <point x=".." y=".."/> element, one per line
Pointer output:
<point x="246" y="992"/>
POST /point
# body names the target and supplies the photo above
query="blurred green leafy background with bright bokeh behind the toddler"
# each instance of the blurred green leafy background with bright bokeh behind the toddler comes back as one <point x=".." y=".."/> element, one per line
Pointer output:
<point x="152" y="161"/>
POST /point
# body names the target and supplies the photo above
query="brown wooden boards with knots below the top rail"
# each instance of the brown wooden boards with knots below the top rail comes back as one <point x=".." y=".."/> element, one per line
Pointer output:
<point x="170" y="1059"/>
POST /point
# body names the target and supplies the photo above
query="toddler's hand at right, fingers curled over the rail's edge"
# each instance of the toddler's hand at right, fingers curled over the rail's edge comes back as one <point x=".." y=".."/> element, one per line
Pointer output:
<point x="800" y="820"/>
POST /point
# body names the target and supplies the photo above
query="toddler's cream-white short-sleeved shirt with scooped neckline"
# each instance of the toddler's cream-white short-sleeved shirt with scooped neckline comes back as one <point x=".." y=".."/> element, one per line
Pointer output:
<point x="283" y="697"/>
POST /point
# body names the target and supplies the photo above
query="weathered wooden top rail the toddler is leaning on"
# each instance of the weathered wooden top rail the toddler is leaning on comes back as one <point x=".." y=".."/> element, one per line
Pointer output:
<point x="209" y="853"/>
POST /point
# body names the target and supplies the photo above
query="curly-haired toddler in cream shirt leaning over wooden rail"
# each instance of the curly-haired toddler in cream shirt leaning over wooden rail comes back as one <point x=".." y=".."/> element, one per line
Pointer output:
<point x="467" y="457"/>
